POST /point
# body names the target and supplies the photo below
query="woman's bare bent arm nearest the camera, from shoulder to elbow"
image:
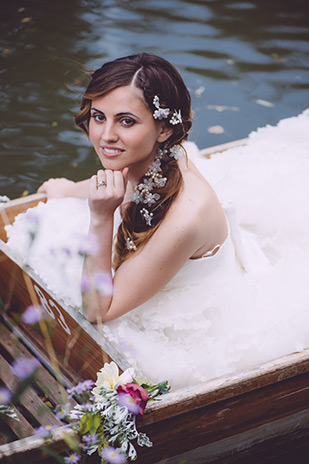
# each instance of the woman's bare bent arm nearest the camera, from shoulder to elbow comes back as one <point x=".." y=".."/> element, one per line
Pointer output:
<point x="148" y="270"/>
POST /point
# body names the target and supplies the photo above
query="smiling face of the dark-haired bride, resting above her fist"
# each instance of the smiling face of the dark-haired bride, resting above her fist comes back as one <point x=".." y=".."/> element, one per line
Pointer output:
<point x="123" y="130"/>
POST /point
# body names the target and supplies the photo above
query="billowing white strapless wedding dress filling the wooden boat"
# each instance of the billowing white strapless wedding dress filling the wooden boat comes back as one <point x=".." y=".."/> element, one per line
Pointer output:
<point x="246" y="304"/>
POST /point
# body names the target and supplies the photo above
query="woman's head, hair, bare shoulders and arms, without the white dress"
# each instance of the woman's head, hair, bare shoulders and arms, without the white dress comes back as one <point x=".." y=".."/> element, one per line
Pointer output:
<point x="136" y="111"/>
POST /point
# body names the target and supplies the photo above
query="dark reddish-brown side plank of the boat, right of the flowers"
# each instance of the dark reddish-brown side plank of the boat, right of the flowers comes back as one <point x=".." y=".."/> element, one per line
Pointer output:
<point x="226" y="418"/>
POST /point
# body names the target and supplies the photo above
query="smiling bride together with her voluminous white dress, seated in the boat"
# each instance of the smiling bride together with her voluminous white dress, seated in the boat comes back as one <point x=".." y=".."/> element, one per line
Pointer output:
<point x="197" y="292"/>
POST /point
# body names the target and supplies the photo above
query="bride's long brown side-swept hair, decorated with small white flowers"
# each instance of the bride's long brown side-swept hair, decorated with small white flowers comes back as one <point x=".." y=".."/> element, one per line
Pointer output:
<point x="154" y="76"/>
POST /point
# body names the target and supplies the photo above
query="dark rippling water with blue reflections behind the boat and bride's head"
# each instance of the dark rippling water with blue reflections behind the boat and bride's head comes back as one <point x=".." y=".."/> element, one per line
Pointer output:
<point x="245" y="63"/>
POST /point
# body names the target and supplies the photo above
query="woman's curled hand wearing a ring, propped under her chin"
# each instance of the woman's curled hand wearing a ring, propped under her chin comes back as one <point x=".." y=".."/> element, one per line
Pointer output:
<point x="104" y="199"/>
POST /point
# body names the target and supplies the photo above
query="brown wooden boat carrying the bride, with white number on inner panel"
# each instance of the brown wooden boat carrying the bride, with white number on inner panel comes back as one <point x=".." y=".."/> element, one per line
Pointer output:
<point x="223" y="420"/>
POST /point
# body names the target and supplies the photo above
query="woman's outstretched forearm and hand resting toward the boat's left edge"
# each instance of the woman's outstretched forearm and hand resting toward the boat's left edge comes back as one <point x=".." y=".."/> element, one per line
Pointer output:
<point x="60" y="188"/>
